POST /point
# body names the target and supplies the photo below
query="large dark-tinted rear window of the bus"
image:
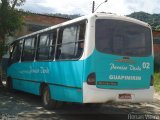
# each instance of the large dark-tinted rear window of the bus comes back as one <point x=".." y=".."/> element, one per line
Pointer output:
<point x="122" y="38"/>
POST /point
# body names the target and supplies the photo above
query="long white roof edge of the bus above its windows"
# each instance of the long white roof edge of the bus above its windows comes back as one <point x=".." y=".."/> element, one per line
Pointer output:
<point x="101" y="15"/>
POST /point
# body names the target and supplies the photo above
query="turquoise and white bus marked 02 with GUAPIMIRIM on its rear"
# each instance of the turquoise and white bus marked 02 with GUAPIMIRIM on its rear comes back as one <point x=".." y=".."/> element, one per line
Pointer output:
<point x="96" y="58"/>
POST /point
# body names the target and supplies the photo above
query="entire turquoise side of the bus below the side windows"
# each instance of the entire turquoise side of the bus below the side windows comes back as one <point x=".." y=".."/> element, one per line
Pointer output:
<point x="63" y="77"/>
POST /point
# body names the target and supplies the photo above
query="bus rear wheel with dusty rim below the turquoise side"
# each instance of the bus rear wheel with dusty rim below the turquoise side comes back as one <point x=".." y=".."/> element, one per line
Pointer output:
<point x="48" y="103"/>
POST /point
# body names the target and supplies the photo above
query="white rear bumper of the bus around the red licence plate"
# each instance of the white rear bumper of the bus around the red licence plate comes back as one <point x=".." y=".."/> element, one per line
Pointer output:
<point x="92" y="94"/>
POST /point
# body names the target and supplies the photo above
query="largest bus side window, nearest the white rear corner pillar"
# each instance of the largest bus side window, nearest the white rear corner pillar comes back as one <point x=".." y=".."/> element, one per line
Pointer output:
<point x="71" y="42"/>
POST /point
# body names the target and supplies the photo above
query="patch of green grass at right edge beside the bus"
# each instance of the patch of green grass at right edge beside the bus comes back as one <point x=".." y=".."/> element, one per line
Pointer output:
<point x="157" y="81"/>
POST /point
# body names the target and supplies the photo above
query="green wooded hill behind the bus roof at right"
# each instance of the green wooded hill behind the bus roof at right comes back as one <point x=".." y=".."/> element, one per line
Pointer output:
<point x="152" y="19"/>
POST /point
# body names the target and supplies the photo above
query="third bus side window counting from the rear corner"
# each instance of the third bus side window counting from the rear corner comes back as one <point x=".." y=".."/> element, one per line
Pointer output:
<point x="29" y="49"/>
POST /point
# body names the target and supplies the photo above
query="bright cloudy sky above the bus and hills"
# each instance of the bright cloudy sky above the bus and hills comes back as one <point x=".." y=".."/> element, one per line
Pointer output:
<point x="84" y="7"/>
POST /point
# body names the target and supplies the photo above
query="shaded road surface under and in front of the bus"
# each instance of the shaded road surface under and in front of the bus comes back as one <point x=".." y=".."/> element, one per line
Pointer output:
<point x="26" y="106"/>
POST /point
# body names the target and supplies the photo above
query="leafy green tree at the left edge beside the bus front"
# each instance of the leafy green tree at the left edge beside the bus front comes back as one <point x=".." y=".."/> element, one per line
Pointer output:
<point x="10" y="20"/>
